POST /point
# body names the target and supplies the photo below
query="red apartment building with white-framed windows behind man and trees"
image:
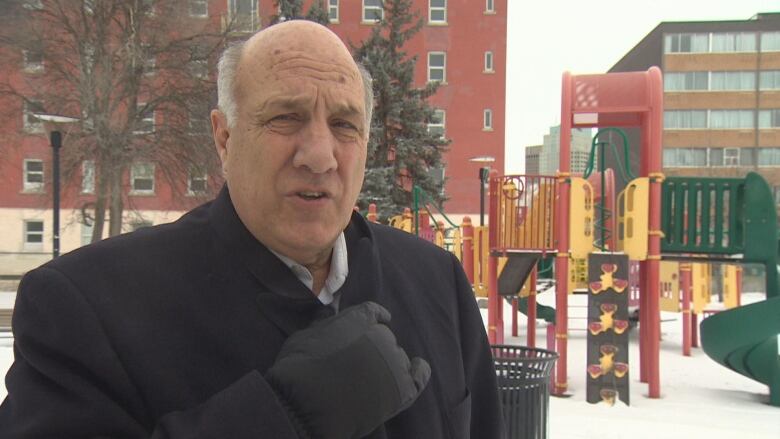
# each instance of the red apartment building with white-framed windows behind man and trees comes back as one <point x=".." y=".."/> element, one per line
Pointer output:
<point x="462" y="45"/>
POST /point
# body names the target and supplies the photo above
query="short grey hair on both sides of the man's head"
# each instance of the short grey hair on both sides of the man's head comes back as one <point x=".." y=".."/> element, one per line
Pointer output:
<point x="227" y="68"/>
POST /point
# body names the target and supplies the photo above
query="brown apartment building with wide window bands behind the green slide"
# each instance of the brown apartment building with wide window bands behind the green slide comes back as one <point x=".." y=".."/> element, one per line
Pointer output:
<point x="721" y="95"/>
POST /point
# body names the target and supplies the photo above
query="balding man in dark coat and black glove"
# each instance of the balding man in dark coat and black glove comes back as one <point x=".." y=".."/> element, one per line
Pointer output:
<point x="222" y="324"/>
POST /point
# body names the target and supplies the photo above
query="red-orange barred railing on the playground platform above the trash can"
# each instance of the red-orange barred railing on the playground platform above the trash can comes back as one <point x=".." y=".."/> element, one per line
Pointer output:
<point x="523" y="206"/>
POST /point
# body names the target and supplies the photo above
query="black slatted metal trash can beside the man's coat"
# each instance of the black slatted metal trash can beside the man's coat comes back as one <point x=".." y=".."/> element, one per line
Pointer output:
<point x="523" y="376"/>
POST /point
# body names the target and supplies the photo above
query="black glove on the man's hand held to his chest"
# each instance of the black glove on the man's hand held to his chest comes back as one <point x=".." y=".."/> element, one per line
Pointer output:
<point x="344" y="376"/>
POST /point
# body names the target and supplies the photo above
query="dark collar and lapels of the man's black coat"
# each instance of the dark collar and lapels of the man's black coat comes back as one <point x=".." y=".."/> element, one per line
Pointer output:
<point x="282" y="298"/>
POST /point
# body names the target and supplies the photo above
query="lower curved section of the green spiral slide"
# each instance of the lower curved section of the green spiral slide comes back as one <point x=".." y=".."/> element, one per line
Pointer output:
<point x="747" y="341"/>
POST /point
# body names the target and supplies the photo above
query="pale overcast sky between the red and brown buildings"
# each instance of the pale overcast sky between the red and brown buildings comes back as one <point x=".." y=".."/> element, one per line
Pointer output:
<point x="547" y="37"/>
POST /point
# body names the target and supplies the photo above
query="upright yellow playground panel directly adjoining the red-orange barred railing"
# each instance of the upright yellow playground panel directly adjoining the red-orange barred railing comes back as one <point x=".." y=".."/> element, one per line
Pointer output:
<point x="580" y="218"/>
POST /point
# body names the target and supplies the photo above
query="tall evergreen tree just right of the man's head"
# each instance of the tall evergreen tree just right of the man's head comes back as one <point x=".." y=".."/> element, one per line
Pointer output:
<point x="401" y="151"/>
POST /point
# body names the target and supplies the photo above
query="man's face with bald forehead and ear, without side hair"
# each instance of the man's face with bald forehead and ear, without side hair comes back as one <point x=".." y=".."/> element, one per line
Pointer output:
<point x="295" y="159"/>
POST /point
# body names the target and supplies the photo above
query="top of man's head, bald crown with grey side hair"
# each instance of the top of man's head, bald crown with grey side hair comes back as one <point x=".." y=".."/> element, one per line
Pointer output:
<point x="297" y="46"/>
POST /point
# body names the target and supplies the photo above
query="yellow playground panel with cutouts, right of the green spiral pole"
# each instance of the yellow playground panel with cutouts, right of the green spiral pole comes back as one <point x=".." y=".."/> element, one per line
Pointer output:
<point x="635" y="209"/>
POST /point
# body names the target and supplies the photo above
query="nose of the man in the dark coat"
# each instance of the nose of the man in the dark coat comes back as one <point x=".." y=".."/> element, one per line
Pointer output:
<point x="316" y="150"/>
